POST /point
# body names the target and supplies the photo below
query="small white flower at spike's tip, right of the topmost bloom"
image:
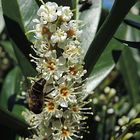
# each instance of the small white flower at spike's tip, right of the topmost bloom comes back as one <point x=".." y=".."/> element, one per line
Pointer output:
<point x="64" y="12"/>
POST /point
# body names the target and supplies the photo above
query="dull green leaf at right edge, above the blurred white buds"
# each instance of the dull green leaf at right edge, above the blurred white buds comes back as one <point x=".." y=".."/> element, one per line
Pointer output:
<point x="130" y="75"/>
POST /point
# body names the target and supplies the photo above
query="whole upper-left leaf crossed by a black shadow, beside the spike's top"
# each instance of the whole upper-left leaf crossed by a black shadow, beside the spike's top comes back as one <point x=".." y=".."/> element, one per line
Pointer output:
<point x="18" y="15"/>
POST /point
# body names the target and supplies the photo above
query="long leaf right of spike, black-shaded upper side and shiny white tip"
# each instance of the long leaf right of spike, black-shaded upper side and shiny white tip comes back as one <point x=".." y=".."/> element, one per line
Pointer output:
<point x="98" y="59"/>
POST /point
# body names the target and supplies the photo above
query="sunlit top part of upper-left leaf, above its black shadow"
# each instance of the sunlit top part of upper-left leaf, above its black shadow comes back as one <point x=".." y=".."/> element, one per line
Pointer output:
<point x="22" y="12"/>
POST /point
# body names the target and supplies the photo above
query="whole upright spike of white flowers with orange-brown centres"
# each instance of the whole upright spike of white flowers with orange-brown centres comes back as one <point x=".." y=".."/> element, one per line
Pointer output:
<point x="59" y="62"/>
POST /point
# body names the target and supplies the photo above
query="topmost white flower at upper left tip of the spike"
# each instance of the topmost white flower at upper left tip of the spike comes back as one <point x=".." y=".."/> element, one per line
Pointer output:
<point x="47" y="12"/>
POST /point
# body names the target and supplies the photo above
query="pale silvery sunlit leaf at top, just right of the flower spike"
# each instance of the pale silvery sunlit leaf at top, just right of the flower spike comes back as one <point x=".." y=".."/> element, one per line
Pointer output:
<point x="90" y="19"/>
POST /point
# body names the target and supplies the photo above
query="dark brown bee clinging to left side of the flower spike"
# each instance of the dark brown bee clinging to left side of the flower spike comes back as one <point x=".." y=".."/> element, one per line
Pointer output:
<point x="36" y="96"/>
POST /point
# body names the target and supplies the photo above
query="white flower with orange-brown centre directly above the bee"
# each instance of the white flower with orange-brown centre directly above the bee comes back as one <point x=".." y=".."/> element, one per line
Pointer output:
<point x="49" y="65"/>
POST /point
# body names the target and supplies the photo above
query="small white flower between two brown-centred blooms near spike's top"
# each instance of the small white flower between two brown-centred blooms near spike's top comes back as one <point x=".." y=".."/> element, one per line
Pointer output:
<point x="59" y="36"/>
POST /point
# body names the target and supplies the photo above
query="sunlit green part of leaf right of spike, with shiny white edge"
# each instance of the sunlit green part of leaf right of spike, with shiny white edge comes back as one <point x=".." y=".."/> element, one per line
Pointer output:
<point x="106" y="63"/>
